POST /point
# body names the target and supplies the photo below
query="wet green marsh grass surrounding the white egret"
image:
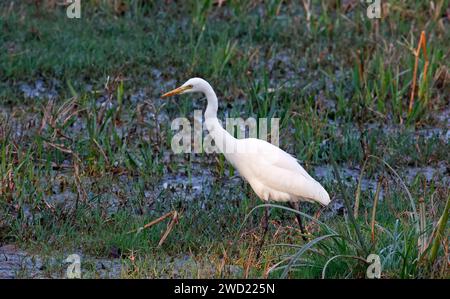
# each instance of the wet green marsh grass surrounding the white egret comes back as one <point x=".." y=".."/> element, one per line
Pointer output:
<point x="340" y="85"/>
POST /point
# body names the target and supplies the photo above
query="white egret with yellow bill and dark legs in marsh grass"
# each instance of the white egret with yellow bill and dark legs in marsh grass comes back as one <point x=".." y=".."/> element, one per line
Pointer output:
<point x="272" y="173"/>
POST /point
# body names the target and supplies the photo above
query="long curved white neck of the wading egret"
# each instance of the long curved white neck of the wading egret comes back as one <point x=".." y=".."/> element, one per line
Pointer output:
<point x="222" y="138"/>
